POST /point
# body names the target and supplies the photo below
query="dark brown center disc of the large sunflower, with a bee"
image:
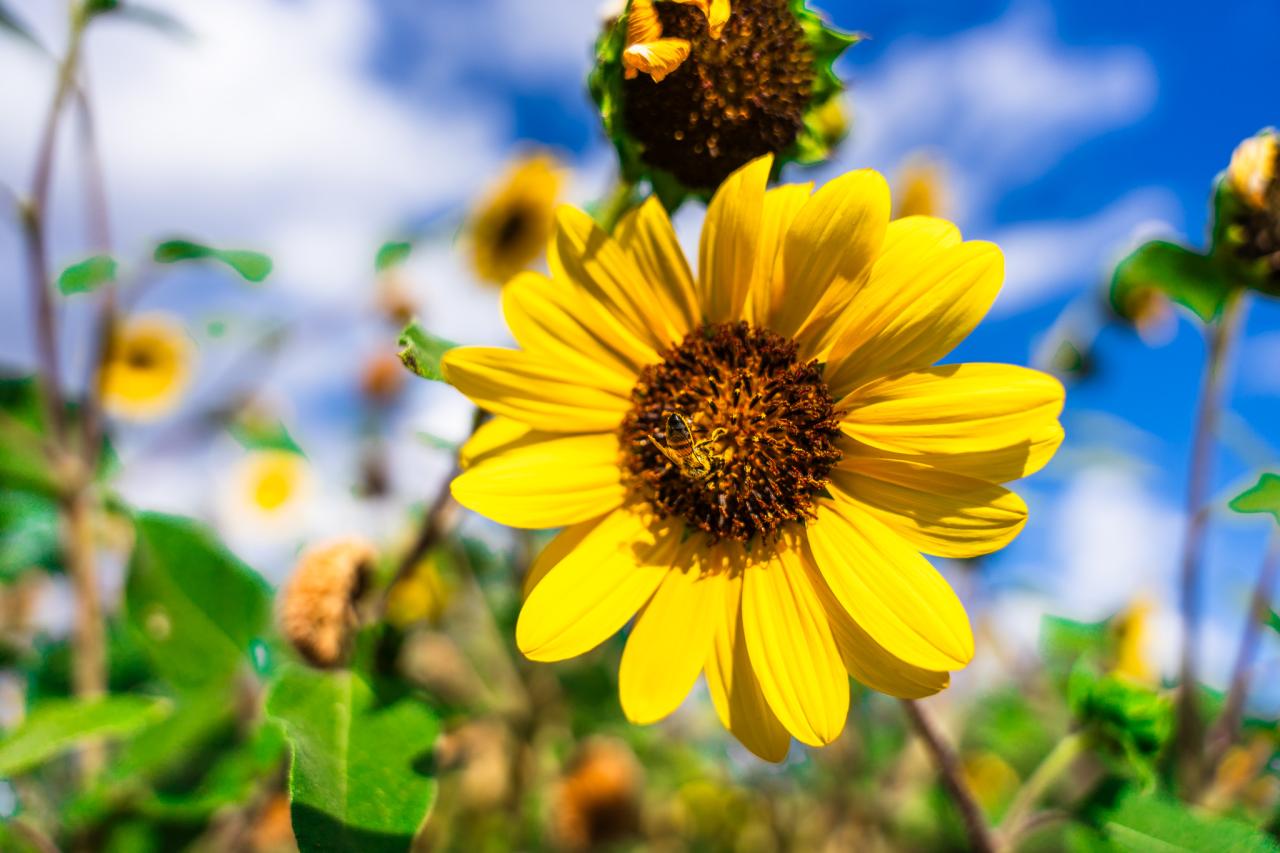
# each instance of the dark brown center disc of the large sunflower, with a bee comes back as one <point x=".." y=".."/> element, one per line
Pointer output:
<point x="762" y="434"/>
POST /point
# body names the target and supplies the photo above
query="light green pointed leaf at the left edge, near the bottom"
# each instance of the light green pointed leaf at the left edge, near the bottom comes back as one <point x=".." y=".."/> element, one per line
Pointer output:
<point x="57" y="726"/>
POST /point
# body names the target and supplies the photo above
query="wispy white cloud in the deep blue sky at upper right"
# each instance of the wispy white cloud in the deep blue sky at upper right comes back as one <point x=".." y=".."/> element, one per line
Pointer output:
<point x="1000" y="106"/>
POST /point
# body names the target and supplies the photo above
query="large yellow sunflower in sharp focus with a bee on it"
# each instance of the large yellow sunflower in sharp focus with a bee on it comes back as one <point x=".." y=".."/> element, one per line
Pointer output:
<point x="751" y="463"/>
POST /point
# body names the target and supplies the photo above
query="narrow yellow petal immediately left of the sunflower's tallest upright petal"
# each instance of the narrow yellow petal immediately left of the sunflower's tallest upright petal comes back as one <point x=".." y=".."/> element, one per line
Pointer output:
<point x="648" y="239"/>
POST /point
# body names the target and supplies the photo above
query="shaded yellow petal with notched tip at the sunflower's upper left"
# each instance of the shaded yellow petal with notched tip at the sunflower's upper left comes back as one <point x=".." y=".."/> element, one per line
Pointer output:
<point x="596" y="263"/>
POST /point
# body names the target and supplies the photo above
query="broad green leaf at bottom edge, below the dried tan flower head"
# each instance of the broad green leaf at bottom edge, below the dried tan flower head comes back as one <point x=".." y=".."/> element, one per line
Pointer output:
<point x="360" y="778"/>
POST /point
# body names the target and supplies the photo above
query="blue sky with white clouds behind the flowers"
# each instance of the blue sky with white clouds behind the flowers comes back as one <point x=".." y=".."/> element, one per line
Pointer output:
<point x="316" y="129"/>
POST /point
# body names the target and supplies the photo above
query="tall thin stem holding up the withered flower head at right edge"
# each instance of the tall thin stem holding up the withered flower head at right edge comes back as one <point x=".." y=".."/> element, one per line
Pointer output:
<point x="1223" y="336"/>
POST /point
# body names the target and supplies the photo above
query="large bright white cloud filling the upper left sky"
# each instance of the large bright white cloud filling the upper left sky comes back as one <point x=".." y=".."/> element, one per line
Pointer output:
<point x="266" y="130"/>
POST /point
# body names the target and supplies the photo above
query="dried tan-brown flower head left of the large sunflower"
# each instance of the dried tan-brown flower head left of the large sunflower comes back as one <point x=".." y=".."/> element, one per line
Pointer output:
<point x="318" y="606"/>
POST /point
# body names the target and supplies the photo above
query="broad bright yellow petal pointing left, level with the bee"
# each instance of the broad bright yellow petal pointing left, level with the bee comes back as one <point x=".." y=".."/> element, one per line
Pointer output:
<point x="550" y="482"/>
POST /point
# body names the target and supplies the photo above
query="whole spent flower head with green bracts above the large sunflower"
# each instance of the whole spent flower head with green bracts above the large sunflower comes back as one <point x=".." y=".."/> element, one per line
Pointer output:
<point x="691" y="90"/>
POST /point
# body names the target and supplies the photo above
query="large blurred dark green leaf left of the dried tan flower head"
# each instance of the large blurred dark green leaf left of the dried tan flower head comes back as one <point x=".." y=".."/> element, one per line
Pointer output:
<point x="199" y="612"/>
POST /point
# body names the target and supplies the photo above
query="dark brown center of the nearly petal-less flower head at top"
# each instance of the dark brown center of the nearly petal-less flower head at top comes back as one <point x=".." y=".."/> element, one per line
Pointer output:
<point x="737" y="98"/>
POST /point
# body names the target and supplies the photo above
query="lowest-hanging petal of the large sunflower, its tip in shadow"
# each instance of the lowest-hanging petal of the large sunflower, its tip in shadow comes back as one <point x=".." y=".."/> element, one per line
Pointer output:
<point x="733" y="683"/>
